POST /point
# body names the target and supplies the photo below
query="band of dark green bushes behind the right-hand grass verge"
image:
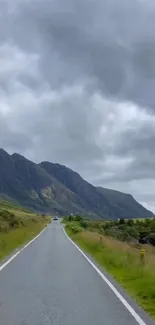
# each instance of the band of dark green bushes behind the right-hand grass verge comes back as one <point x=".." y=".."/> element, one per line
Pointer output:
<point x="124" y="230"/>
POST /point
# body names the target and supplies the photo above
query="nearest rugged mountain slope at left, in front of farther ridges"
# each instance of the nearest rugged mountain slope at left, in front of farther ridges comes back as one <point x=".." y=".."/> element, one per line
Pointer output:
<point x="30" y="185"/>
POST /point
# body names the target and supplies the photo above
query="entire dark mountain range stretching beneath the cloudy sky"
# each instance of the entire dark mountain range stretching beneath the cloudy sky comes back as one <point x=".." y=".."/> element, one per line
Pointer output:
<point x="49" y="187"/>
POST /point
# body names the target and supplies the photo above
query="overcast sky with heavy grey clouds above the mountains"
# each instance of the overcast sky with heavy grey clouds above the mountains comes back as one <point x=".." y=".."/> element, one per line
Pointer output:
<point x="77" y="86"/>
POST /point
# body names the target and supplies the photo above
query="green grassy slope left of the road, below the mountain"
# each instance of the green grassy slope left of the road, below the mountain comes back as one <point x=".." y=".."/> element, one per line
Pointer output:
<point x="18" y="226"/>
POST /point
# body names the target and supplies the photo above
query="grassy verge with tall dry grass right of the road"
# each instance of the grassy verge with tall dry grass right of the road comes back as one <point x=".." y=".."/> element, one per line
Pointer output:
<point x="123" y="262"/>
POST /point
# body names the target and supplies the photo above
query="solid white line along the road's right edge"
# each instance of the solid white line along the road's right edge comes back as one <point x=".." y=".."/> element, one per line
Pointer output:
<point x="116" y="292"/>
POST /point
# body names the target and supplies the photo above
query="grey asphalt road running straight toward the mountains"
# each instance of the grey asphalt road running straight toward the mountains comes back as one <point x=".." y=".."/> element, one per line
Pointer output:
<point x="51" y="283"/>
